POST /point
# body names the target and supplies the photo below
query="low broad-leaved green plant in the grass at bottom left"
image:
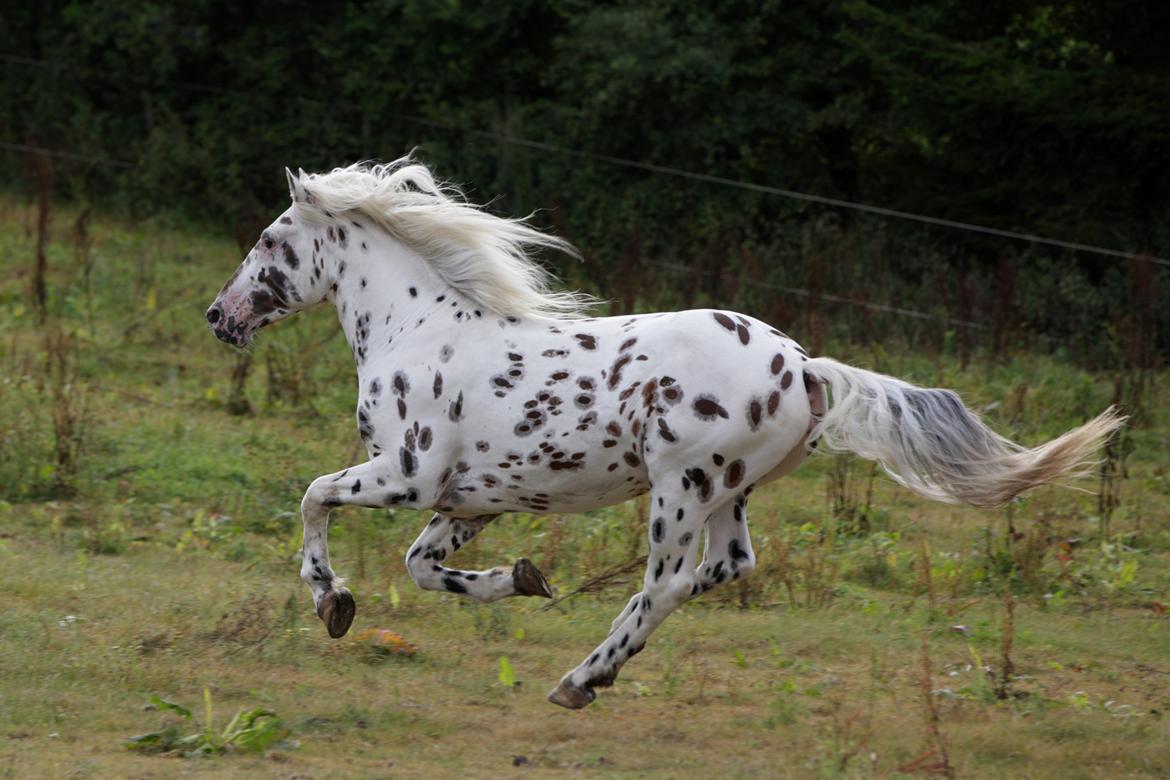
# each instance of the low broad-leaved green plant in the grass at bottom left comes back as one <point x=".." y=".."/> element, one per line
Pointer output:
<point x="253" y="730"/>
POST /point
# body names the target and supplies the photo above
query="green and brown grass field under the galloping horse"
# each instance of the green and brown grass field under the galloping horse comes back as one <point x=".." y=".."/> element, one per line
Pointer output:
<point x="149" y="546"/>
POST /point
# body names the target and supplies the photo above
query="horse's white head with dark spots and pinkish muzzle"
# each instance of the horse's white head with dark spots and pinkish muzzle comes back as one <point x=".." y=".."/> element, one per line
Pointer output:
<point x="277" y="279"/>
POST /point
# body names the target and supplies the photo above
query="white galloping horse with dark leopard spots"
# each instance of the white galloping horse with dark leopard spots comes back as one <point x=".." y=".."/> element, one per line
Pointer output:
<point x="484" y="390"/>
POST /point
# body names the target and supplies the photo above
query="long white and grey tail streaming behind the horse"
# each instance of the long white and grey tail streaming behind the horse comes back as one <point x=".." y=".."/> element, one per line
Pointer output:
<point x="928" y="441"/>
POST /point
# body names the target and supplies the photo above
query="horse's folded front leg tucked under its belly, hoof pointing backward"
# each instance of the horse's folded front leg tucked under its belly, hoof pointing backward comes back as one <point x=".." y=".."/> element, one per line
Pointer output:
<point x="443" y="537"/>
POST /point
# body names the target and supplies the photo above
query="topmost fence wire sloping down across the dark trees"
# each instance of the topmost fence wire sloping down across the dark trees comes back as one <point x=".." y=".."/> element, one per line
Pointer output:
<point x="666" y="170"/>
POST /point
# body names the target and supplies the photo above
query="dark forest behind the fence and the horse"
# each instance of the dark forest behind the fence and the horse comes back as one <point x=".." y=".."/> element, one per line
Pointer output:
<point x="1049" y="119"/>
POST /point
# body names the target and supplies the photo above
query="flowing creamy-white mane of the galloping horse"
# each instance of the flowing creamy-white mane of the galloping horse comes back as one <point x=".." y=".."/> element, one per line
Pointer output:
<point x="486" y="258"/>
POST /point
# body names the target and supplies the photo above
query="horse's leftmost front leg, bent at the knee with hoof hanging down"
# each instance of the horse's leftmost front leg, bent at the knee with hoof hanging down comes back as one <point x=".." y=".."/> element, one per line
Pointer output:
<point x="370" y="485"/>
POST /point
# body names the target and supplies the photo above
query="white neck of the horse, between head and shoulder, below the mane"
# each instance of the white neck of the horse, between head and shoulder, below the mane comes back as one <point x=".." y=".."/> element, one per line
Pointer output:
<point x="386" y="294"/>
